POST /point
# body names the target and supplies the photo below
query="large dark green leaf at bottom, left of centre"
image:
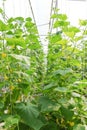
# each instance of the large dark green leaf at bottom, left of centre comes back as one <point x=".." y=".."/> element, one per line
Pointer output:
<point x="29" y="114"/>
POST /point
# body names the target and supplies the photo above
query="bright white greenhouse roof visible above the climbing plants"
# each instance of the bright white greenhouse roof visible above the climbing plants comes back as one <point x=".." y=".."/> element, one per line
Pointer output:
<point x="41" y="10"/>
